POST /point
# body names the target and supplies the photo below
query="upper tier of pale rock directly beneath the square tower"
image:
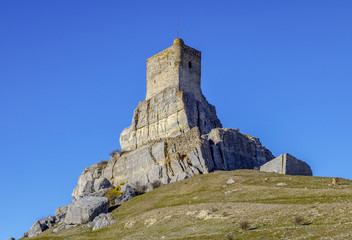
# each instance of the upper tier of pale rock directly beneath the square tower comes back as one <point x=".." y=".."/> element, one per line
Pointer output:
<point x="170" y="113"/>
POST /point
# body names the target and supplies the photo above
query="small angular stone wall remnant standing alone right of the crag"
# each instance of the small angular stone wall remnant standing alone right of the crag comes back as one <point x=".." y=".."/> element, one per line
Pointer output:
<point x="287" y="164"/>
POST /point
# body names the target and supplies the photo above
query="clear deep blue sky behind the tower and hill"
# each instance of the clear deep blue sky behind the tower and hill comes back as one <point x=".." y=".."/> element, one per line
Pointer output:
<point x="72" y="72"/>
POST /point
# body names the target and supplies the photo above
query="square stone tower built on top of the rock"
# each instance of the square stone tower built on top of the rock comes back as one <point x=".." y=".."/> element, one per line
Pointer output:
<point x="177" y="66"/>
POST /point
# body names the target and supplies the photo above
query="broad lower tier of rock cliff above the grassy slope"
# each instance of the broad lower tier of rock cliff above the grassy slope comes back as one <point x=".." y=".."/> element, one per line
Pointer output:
<point x="176" y="158"/>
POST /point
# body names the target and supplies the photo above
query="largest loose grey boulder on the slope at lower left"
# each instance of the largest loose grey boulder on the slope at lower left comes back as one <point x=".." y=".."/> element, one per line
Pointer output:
<point x="85" y="209"/>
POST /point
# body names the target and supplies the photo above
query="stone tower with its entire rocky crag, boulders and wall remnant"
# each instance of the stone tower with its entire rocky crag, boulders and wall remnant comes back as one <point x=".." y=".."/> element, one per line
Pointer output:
<point x="175" y="134"/>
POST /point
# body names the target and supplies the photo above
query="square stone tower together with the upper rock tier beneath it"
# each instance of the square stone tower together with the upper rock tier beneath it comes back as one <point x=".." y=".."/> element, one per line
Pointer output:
<point x="174" y="102"/>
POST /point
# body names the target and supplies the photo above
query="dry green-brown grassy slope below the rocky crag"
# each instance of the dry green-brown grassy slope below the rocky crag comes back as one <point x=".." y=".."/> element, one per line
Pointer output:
<point x="198" y="208"/>
